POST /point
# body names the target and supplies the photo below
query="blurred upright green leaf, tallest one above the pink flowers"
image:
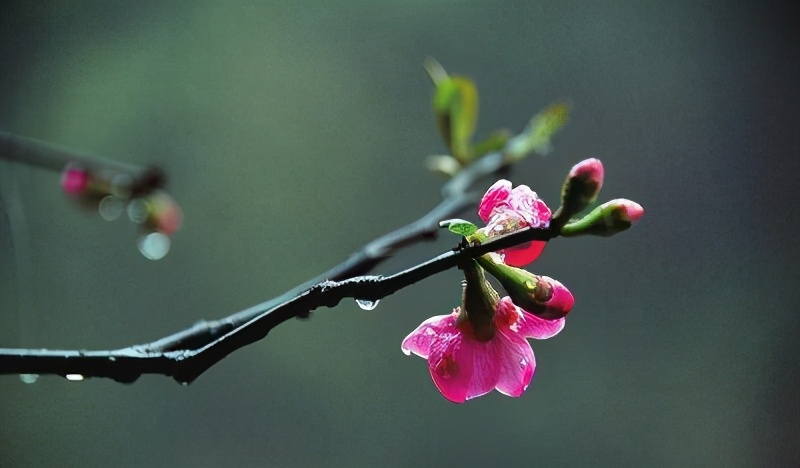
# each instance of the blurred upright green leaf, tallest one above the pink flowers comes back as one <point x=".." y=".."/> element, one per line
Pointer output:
<point x="455" y="104"/>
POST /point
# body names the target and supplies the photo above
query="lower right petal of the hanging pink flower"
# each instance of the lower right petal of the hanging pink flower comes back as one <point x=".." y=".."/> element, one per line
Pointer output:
<point x="516" y="364"/>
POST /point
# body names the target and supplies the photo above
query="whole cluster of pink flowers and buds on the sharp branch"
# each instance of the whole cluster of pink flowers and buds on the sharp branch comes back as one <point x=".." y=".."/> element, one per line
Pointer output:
<point x="482" y="345"/>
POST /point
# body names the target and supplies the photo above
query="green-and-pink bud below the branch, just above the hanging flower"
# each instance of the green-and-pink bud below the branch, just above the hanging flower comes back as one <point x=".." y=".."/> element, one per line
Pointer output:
<point x="540" y="295"/>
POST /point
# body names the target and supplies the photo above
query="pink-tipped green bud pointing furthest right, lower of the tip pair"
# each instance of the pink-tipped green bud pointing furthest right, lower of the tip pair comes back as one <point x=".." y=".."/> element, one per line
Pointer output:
<point x="606" y="220"/>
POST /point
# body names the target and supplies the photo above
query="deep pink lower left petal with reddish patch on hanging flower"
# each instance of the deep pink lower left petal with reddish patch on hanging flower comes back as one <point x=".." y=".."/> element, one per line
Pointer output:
<point x="450" y="364"/>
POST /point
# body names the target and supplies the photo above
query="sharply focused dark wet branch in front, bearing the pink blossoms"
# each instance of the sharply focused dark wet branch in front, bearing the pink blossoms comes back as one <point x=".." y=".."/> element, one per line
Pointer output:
<point x="185" y="365"/>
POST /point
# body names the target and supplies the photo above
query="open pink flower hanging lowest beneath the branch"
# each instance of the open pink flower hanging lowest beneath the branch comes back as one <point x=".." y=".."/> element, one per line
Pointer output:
<point x="463" y="367"/>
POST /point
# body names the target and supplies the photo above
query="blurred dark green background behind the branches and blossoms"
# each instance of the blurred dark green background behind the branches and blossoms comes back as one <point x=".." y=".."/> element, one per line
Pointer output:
<point x="294" y="132"/>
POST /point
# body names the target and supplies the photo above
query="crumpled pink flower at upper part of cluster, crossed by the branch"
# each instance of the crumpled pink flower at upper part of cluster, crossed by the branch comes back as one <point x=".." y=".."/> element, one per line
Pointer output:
<point x="505" y="210"/>
